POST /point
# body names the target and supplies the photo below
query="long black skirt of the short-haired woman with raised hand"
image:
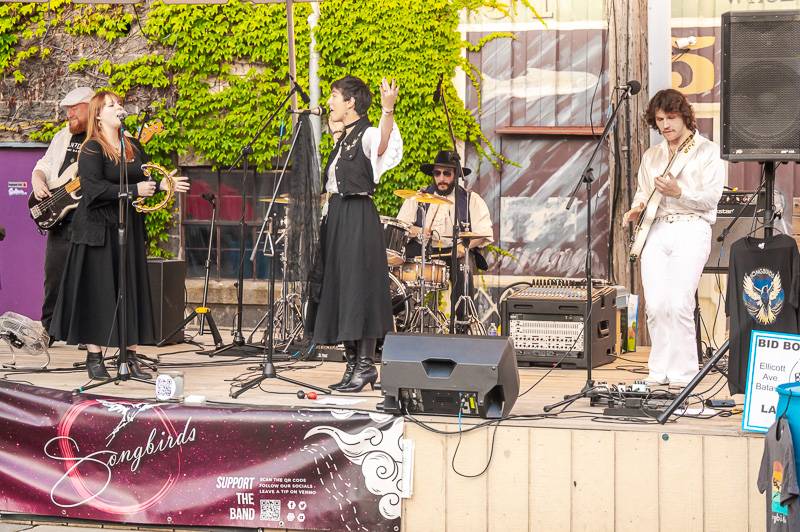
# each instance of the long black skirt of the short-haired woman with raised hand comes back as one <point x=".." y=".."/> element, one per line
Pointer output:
<point x="354" y="301"/>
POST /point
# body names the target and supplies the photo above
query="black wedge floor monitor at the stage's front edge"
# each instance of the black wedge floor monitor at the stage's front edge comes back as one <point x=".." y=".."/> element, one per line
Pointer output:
<point x="449" y="374"/>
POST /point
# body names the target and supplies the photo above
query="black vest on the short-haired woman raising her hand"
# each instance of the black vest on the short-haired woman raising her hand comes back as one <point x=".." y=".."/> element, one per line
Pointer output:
<point x="353" y="168"/>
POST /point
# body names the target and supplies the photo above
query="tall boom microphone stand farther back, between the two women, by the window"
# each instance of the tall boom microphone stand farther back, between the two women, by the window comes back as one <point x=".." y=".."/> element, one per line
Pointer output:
<point x="238" y="340"/>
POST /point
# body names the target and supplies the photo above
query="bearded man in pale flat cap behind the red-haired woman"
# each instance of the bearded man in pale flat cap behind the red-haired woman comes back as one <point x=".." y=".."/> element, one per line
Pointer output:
<point x="60" y="155"/>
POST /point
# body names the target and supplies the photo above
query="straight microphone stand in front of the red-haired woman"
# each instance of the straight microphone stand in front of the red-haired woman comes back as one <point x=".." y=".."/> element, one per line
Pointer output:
<point x="123" y="370"/>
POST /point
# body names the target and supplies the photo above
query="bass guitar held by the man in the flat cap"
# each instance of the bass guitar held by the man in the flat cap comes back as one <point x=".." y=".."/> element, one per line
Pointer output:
<point x="64" y="195"/>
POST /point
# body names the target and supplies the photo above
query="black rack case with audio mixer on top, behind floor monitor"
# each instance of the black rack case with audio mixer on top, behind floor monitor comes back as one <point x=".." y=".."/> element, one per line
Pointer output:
<point x="545" y="323"/>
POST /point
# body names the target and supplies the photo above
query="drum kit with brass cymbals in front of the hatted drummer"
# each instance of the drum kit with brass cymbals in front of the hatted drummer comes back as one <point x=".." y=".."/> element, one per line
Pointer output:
<point x="415" y="283"/>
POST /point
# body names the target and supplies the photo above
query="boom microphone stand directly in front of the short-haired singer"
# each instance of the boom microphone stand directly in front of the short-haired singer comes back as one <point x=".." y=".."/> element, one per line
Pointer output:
<point x="268" y="366"/>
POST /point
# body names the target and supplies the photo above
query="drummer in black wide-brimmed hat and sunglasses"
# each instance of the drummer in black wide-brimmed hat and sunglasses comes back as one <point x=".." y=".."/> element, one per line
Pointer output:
<point x="436" y="220"/>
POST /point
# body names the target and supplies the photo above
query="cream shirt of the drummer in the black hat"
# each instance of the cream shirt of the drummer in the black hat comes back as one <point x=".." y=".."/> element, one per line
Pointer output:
<point x="439" y="219"/>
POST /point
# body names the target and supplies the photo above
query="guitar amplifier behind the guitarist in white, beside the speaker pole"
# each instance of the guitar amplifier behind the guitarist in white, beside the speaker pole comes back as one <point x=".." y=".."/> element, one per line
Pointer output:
<point x="731" y="204"/>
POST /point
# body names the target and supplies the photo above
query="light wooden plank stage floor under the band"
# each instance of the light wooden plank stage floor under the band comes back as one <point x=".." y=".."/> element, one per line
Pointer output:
<point x="215" y="378"/>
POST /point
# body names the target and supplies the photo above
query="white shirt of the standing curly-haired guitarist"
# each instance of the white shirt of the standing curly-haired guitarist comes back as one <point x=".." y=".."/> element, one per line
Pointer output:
<point x="701" y="179"/>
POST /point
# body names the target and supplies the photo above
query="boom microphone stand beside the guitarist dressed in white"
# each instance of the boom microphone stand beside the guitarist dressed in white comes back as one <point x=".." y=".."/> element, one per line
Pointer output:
<point x="586" y="178"/>
